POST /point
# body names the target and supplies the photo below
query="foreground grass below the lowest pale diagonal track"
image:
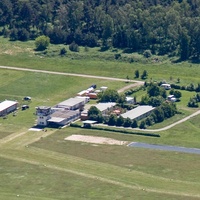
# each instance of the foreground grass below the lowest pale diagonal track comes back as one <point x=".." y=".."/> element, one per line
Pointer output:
<point x="24" y="181"/>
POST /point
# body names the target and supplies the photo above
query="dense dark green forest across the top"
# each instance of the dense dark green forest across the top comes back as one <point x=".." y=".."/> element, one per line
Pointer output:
<point x="169" y="27"/>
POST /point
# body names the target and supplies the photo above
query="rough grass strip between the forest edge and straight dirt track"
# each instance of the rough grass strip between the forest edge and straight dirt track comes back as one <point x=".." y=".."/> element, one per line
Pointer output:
<point x="93" y="62"/>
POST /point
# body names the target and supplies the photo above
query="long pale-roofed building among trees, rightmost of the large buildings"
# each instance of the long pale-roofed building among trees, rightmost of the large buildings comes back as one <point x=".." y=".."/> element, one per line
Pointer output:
<point x="138" y="113"/>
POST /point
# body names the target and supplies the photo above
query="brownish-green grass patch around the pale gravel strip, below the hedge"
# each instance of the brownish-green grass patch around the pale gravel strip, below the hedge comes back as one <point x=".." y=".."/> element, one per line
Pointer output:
<point x="162" y="163"/>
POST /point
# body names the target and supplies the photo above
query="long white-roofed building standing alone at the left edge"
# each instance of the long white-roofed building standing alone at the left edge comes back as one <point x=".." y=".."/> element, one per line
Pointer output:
<point x="7" y="106"/>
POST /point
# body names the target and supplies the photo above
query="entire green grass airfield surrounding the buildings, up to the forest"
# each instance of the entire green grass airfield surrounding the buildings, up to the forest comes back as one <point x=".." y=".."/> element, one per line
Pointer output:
<point x="43" y="166"/>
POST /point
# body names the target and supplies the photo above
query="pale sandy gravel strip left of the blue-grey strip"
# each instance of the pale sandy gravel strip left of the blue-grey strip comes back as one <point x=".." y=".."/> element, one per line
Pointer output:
<point x="95" y="140"/>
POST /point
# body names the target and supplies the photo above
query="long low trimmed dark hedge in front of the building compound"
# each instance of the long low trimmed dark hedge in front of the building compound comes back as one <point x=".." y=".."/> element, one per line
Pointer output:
<point x="118" y="131"/>
